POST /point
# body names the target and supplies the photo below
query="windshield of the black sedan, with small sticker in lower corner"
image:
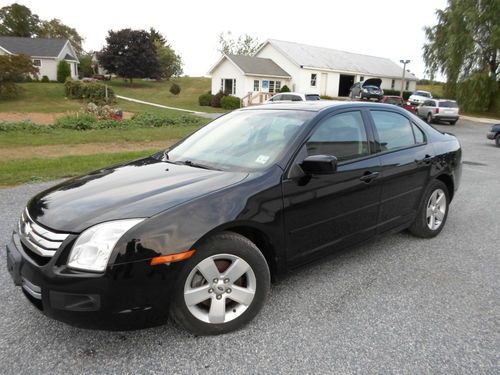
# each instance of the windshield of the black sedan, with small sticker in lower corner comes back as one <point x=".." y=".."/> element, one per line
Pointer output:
<point x="242" y="140"/>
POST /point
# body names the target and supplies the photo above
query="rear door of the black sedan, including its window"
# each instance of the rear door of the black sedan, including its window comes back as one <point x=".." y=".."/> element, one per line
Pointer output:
<point x="406" y="159"/>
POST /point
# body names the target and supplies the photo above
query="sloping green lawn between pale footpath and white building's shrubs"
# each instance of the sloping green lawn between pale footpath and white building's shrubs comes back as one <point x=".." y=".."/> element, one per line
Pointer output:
<point x="158" y="92"/>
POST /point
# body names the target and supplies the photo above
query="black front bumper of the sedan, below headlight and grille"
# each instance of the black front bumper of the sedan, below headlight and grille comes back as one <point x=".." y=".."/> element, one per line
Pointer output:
<point x="127" y="296"/>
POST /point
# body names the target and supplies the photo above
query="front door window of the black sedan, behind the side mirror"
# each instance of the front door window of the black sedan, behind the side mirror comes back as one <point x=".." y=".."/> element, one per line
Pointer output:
<point x="342" y="135"/>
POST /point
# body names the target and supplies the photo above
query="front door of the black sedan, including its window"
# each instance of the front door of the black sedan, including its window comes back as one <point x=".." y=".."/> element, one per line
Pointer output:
<point x="324" y="212"/>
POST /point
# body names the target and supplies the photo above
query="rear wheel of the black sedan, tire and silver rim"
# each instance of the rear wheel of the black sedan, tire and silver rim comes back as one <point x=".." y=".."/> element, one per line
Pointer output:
<point x="432" y="211"/>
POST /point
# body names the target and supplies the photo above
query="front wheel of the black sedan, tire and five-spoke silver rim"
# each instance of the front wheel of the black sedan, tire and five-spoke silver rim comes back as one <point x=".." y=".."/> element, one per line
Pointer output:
<point x="218" y="312"/>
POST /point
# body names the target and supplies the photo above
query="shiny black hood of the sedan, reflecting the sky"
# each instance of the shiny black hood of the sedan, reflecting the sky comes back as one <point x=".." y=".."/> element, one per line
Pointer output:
<point x="141" y="188"/>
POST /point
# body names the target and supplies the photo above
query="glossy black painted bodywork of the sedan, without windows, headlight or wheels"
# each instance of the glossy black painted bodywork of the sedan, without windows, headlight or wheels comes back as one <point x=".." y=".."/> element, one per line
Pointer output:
<point x="281" y="209"/>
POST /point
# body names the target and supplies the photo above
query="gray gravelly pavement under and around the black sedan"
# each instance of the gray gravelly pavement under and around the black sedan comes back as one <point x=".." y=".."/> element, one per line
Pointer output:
<point x="397" y="305"/>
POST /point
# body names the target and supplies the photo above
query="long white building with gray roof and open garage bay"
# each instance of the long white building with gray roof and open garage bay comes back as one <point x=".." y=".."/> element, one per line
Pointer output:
<point x="304" y="68"/>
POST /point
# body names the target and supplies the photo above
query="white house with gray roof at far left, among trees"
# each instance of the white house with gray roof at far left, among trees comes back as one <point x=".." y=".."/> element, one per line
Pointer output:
<point x="45" y="53"/>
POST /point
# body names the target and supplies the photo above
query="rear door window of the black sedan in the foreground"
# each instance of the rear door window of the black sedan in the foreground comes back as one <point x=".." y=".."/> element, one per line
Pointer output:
<point x="394" y="130"/>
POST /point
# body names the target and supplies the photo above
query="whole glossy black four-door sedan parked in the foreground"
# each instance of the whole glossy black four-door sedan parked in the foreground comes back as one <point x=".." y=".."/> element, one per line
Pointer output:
<point x="197" y="232"/>
